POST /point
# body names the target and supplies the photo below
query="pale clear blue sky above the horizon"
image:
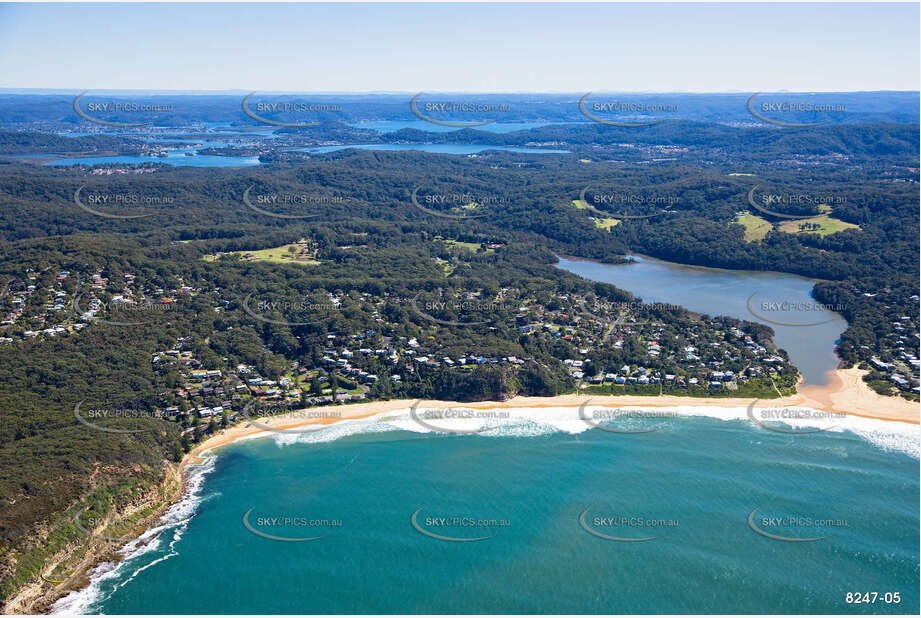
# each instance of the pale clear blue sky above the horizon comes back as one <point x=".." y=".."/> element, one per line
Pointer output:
<point x="473" y="47"/>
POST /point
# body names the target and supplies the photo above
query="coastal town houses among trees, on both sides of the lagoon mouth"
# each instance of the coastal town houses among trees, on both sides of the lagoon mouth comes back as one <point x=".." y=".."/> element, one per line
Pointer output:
<point x="610" y="348"/>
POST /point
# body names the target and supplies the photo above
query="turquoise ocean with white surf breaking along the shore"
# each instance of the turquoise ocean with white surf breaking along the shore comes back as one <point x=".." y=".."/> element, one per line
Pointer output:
<point x="704" y="511"/>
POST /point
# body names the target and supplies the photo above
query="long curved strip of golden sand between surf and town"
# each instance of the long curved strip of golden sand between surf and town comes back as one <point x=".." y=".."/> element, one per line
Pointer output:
<point x="845" y="393"/>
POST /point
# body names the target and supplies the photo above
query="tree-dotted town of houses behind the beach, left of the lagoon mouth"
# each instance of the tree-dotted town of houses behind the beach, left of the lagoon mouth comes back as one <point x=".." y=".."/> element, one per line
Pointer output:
<point x="604" y="347"/>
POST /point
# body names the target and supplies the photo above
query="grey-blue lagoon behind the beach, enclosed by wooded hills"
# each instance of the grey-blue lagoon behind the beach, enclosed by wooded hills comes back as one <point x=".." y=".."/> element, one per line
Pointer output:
<point x="806" y="331"/>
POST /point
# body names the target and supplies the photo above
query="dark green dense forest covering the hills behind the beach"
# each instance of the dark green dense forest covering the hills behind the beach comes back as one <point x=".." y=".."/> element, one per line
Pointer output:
<point x="378" y="233"/>
